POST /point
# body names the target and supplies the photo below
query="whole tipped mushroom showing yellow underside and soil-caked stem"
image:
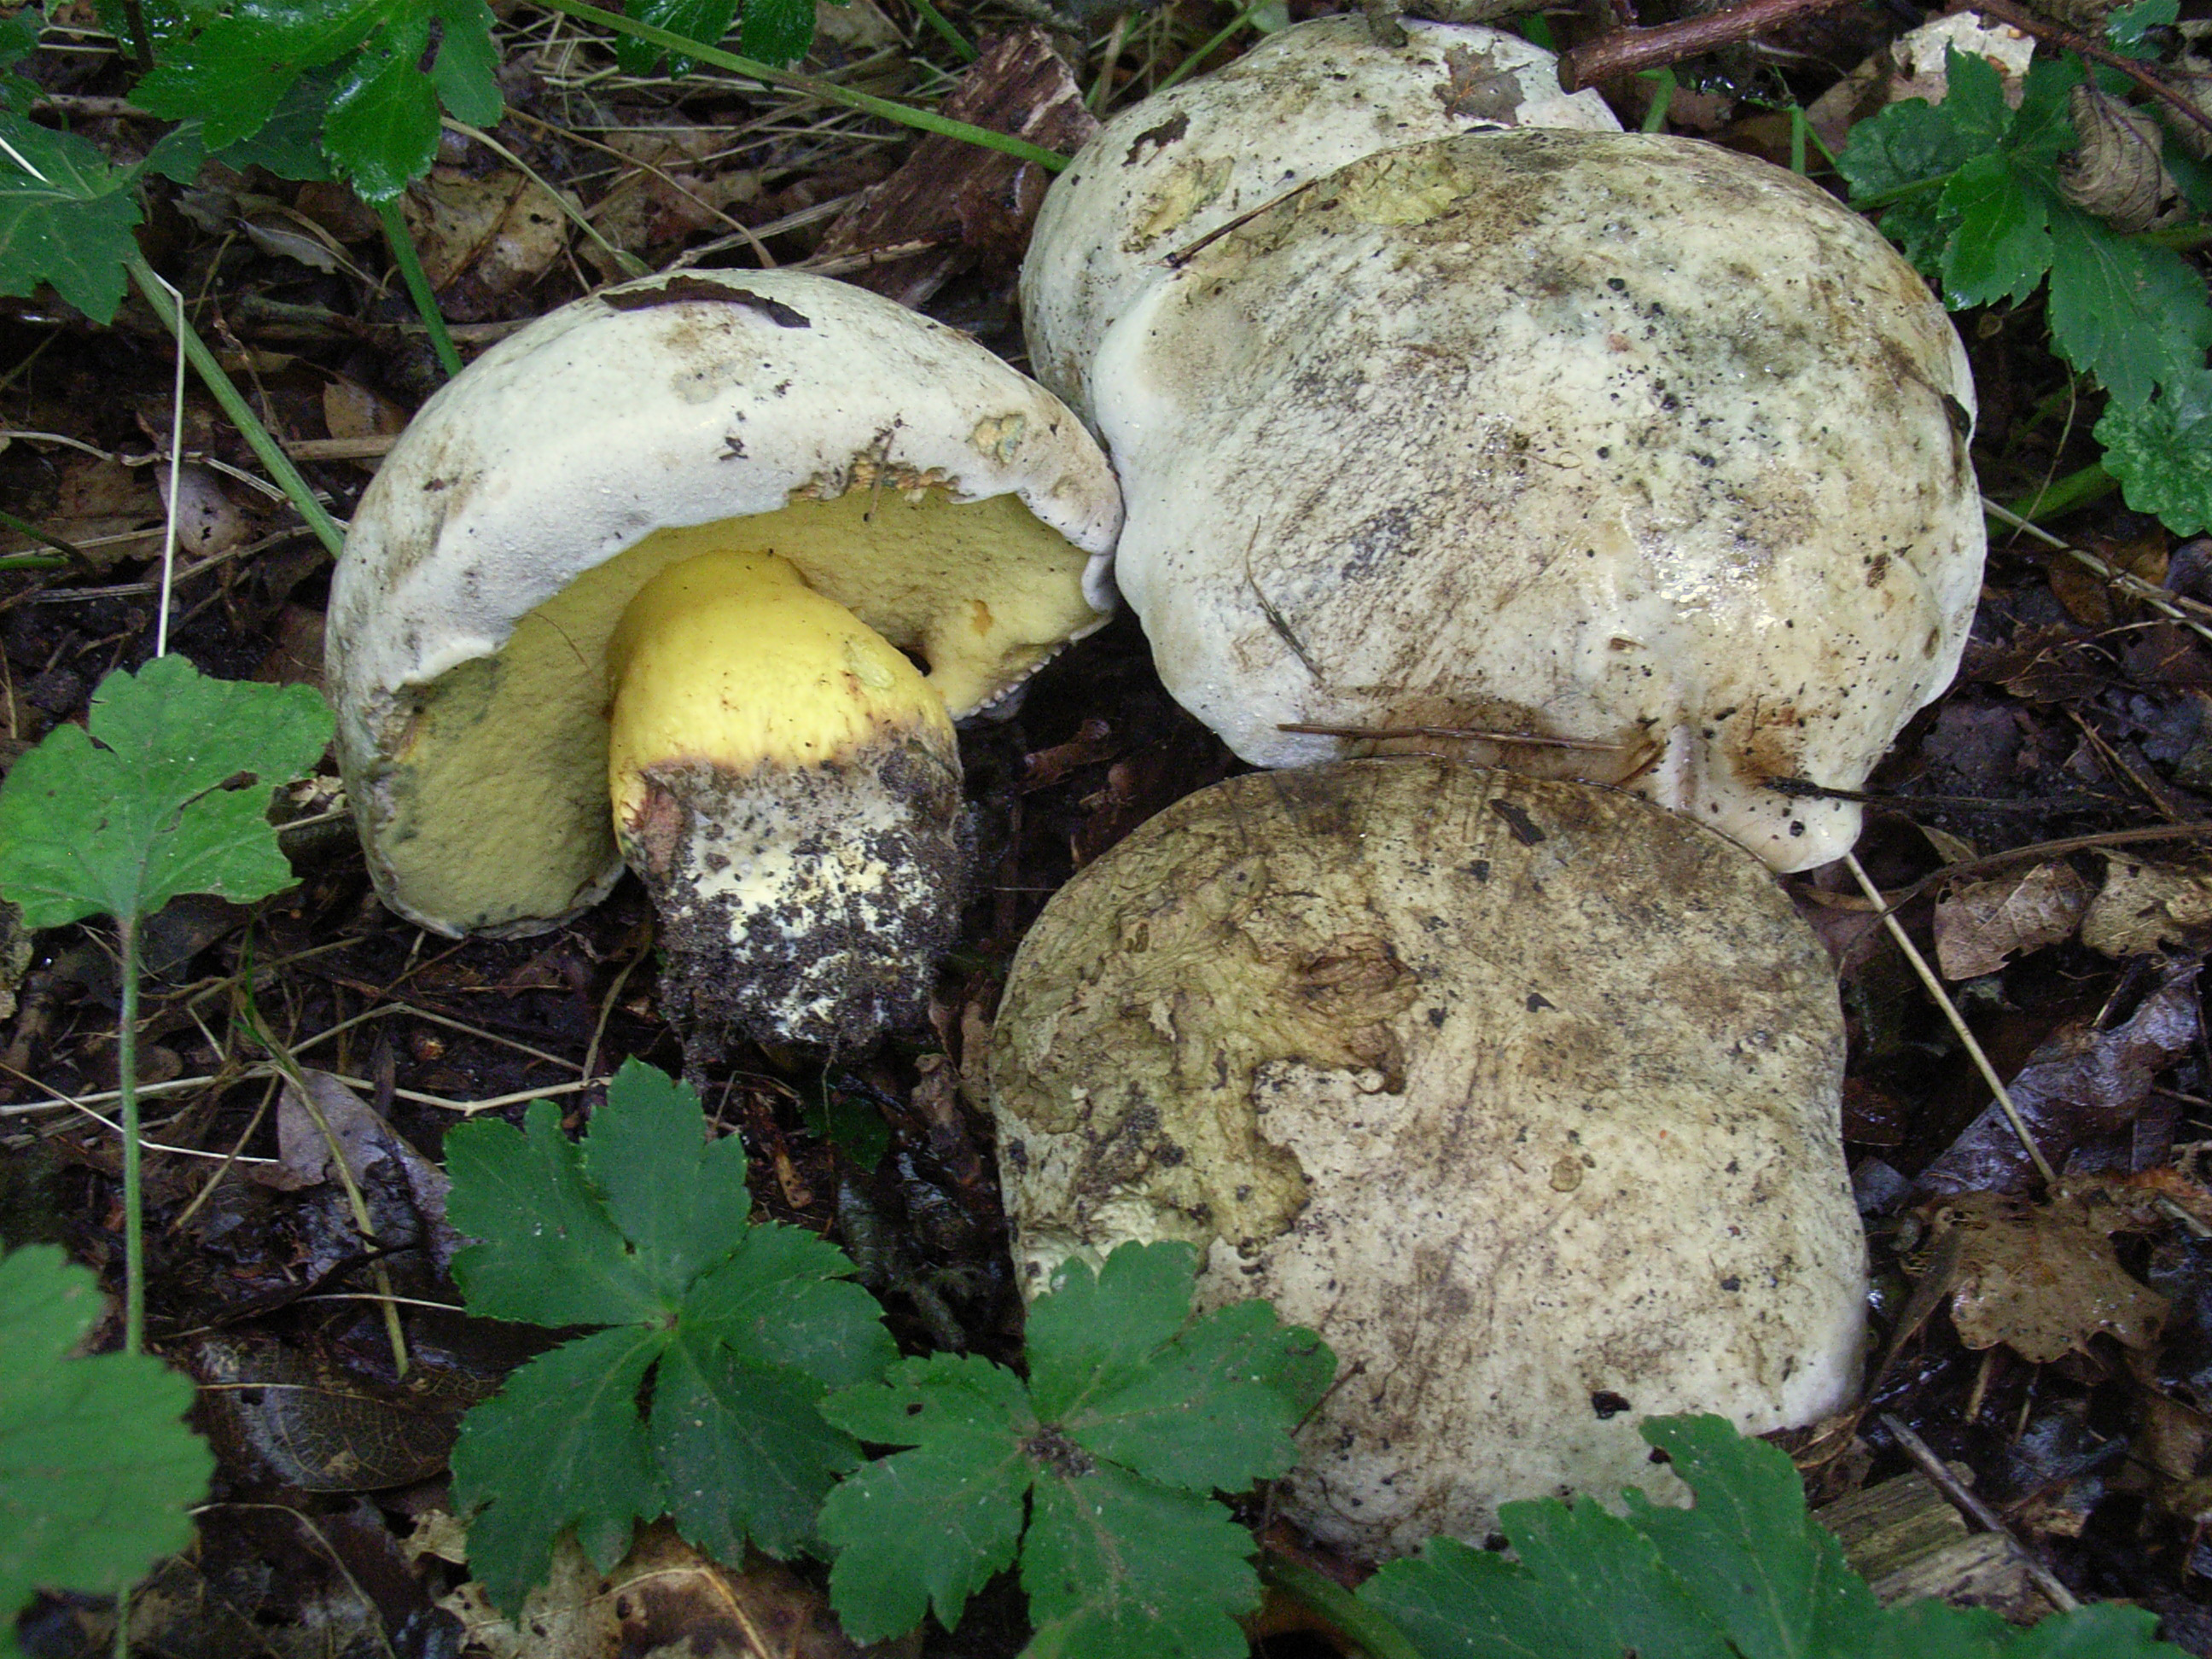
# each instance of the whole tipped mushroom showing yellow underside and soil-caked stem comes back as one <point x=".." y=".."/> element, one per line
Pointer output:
<point x="713" y="519"/>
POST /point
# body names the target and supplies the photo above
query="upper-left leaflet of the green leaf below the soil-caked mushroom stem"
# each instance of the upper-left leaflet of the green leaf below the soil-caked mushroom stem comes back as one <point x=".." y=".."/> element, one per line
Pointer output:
<point x="547" y="1251"/>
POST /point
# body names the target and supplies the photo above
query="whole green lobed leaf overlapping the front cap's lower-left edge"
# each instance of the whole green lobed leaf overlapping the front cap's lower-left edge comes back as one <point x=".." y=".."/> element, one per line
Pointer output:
<point x="1131" y="1415"/>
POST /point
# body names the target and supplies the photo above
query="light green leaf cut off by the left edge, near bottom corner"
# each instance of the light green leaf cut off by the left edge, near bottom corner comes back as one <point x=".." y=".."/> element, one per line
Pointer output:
<point x="96" y="1468"/>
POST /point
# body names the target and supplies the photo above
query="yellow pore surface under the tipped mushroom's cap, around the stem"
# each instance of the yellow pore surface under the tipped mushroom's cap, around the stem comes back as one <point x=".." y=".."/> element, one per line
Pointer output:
<point x="499" y="791"/>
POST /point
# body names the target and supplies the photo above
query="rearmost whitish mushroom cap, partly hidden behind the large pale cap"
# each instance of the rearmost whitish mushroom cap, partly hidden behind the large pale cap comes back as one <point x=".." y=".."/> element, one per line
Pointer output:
<point x="1198" y="156"/>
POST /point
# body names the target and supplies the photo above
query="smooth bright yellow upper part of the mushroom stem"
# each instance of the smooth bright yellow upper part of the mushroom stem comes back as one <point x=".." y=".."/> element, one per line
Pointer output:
<point x="731" y="660"/>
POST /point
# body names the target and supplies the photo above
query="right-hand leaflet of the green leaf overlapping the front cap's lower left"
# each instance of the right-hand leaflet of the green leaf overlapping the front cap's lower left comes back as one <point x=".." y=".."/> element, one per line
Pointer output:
<point x="1211" y="1410"/>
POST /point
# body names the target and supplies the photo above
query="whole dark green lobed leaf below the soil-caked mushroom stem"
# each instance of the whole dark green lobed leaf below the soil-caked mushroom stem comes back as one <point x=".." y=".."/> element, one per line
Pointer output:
<point x="724" y="1337"/>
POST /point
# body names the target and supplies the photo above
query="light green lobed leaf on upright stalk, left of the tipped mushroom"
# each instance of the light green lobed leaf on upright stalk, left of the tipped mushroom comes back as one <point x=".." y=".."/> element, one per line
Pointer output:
<point x="163" y="793"/>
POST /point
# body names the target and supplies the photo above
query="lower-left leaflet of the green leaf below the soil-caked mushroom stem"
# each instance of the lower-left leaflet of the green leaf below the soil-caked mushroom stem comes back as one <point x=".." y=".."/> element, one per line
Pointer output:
<point x="561" y="1448"/>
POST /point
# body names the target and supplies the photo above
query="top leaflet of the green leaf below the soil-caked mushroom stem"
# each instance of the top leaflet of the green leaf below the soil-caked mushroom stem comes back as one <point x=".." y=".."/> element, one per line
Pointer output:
<point x="676" y="1196"/>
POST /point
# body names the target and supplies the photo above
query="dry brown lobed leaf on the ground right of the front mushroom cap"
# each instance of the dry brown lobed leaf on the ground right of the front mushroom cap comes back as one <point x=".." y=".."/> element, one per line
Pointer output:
<point x="2038" y="1277"/>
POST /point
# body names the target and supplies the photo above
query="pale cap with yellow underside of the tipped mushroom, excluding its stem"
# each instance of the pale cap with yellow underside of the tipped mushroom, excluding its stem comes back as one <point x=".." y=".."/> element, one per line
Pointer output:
<point x="643" y="426"/>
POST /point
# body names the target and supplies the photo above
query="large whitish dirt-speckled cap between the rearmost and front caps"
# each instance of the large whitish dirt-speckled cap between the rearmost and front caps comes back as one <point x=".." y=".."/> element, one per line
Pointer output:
<point x="1569" y="435"/>
